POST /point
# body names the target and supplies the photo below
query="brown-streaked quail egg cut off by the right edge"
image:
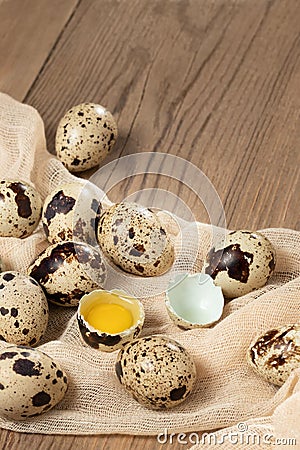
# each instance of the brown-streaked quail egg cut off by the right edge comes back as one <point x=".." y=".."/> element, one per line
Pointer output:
<point x="275" y="354"/>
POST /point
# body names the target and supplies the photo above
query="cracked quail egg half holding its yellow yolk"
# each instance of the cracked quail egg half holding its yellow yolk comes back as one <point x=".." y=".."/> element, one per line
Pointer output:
<point x="109" y="319"/>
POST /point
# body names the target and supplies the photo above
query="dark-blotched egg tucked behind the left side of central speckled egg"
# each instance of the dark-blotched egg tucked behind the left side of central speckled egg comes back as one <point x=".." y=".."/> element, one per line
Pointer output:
<point x="72" y="211"/>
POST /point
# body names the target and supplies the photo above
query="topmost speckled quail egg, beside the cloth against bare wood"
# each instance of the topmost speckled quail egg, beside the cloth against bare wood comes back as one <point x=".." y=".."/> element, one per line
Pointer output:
<point x="85" y="135"/>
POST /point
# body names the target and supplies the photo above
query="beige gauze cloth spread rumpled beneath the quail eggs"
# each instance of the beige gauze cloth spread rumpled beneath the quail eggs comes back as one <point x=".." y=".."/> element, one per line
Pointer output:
<point x="227" y="390"/>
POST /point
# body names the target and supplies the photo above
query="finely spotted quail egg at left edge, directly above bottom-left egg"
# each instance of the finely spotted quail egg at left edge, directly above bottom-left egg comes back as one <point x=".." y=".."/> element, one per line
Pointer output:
<point x="23" y="309"/>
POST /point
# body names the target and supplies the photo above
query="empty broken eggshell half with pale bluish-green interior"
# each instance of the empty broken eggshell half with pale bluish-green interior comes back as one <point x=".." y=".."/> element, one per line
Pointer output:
<point x="193" y="301"/>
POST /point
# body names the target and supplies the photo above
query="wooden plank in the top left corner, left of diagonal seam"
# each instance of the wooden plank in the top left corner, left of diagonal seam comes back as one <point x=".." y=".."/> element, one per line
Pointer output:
<point x="28" y="32"/>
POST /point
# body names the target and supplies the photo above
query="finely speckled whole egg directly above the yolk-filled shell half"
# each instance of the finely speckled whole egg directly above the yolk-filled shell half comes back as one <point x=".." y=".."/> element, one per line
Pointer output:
<point x="133" y="237"/>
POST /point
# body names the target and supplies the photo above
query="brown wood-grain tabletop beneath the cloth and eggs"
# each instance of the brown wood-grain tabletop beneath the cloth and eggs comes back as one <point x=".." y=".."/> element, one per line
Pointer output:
<point x="213" y="81"/>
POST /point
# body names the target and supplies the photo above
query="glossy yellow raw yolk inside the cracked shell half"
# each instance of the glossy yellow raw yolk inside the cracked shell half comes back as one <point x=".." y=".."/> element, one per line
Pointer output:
<point x="110" y="318"/>
